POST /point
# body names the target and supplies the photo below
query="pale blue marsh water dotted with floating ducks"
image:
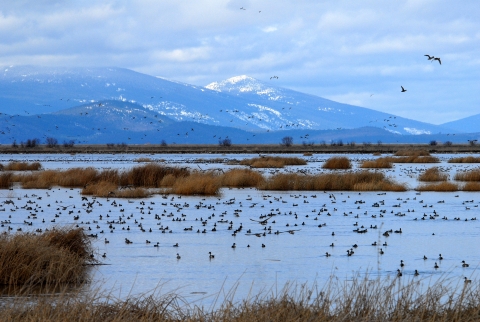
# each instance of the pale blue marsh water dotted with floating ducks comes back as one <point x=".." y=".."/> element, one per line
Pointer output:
<point x="298" y="255"/>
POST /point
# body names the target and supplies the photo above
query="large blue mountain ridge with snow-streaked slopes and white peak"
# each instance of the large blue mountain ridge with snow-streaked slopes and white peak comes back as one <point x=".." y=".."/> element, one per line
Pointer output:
<point x="116" y="100"/>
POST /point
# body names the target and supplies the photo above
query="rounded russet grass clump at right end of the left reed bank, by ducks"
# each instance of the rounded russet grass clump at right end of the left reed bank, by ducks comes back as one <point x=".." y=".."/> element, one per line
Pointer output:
<point x="204" y="184"/>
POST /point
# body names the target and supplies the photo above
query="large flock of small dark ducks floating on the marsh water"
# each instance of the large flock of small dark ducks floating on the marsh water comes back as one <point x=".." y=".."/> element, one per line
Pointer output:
<point x="259" y="216"/>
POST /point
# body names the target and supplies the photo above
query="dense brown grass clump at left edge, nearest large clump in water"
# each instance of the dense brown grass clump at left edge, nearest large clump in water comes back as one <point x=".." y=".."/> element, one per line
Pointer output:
<point x="54" y="257"/>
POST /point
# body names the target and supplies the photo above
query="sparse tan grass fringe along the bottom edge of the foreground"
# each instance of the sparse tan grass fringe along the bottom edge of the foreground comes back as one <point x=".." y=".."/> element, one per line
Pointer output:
<point x="380" y="300"/>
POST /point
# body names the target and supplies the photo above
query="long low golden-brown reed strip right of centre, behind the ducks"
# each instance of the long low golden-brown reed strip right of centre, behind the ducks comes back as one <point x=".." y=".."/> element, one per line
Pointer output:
<point x="359" y="181"/>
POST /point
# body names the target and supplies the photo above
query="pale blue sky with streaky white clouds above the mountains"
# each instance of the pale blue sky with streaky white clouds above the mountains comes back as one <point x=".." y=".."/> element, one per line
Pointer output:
<point x="357" y="52"/>
